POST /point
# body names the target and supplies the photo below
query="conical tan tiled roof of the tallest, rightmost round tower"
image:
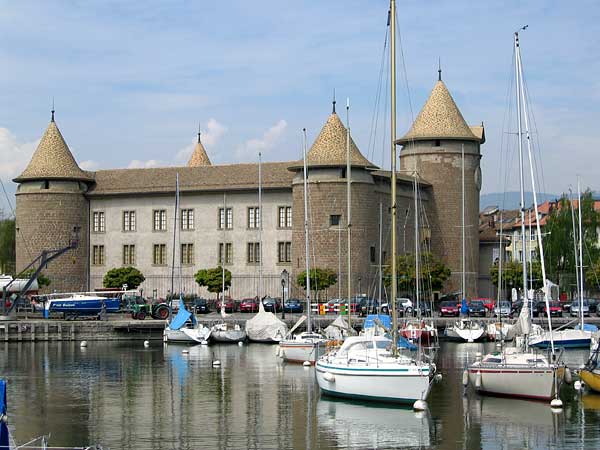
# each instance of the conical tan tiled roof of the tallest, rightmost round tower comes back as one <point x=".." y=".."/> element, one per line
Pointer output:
<point x="440" y="118"/>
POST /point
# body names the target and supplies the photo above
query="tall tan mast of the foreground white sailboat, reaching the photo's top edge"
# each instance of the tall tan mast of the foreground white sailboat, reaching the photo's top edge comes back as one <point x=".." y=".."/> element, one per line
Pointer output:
<point x="393" y="165"/>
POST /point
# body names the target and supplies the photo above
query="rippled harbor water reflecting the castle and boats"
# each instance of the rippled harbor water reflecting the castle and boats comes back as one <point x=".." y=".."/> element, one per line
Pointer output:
<point x="127" y="396"/>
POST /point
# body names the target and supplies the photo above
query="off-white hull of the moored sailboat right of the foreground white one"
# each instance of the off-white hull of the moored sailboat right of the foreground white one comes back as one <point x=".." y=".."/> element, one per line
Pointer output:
<point x="518" y="381"/>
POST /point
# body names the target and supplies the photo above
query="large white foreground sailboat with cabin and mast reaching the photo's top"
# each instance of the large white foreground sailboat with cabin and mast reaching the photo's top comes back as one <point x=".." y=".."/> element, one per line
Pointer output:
<point x="370" y="367"/>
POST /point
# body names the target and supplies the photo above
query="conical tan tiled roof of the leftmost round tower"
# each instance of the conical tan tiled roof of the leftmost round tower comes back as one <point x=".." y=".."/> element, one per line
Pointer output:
<point x="53" y="159"/>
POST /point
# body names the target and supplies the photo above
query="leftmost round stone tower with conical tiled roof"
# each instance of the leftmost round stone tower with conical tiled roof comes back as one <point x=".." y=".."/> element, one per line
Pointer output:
<point x="51" y="206"/>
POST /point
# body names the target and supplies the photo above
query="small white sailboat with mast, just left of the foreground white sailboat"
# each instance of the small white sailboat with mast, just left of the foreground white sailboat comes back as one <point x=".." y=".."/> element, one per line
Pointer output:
<point x="306" y="346"/>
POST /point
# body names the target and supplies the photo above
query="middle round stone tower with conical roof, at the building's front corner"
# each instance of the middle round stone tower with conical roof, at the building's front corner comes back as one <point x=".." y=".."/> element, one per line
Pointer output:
<point x="327" y="202"/>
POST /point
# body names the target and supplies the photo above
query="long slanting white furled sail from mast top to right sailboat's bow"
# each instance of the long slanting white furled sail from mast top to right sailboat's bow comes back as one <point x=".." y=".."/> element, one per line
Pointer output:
<point x="533" y="188"/>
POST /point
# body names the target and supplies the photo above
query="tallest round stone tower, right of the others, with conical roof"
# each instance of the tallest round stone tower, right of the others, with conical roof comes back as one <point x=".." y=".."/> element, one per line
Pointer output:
<point x="433" y="148"/>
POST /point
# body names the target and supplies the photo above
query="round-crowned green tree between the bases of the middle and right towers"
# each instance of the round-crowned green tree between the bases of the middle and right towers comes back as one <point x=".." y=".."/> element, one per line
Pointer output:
<point x="433" y="272"/>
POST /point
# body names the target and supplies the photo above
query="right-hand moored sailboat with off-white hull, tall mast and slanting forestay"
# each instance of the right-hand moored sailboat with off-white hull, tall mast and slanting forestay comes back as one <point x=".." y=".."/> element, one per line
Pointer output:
<point x="518" y="371"/>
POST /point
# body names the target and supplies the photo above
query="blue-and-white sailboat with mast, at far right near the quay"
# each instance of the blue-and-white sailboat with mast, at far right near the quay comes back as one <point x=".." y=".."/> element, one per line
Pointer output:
<point x="580" y="337"/>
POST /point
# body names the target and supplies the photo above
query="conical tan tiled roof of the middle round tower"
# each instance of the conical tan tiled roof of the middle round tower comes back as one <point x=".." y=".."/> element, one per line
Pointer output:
<point x="329" y="149"/>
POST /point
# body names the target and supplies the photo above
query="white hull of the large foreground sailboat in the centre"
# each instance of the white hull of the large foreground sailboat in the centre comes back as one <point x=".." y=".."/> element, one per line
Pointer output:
<point x="373" y="384"/>
